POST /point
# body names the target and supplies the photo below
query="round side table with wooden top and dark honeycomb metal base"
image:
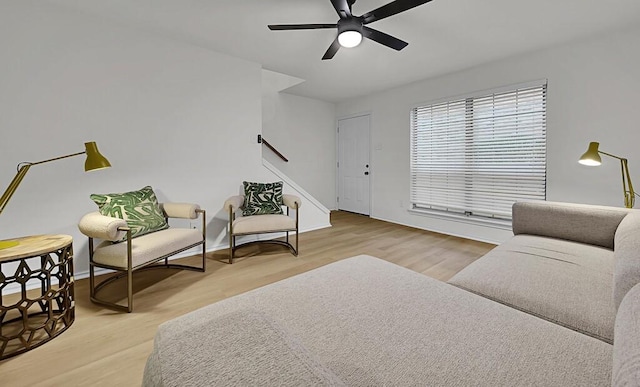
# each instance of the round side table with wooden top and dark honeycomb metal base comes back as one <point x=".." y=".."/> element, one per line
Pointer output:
<point x="27" y="322"/>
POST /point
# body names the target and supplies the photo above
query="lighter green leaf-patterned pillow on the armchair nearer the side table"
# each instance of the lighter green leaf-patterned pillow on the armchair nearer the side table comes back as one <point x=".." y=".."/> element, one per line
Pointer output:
<point x="140" y="209"/>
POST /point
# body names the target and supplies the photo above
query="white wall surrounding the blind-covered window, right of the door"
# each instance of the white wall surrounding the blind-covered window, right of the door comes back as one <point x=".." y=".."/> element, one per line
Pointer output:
<point x="593" y="92"/>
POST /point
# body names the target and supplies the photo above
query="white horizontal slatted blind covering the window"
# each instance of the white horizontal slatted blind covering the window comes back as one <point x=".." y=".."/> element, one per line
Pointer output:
<point x="479" y="155"/>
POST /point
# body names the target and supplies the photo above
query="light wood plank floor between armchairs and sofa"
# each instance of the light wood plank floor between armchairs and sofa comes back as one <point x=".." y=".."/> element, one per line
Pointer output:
<point x="107" y="348"/>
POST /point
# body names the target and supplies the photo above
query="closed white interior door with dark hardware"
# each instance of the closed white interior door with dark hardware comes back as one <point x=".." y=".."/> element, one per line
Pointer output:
<point x="353" y="164"/>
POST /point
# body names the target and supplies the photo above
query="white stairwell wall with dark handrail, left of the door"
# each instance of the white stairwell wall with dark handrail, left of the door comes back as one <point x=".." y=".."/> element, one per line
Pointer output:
<point x="304" y="131"/>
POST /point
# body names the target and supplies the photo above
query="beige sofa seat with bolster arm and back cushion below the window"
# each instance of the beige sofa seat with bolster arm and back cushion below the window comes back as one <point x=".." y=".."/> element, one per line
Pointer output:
<point x="561" y="264"/>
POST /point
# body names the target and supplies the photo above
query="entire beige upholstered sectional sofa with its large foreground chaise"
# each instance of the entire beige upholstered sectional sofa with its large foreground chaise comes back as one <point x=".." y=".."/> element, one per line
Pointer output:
<point x="365" y="321"/>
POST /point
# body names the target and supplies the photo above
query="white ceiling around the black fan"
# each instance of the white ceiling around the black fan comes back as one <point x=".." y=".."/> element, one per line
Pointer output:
<point x="444" y="35"/>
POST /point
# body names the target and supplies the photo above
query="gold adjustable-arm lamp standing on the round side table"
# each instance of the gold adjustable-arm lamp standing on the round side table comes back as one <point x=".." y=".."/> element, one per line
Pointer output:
<point x="94" y="161"/>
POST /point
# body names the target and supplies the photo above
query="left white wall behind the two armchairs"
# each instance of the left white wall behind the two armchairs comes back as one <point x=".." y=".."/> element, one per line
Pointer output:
<point x="177" y="117"/>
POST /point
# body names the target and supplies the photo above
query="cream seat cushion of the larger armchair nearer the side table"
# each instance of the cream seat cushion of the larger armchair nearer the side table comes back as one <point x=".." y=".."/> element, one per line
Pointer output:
<point x="146" y="248"/>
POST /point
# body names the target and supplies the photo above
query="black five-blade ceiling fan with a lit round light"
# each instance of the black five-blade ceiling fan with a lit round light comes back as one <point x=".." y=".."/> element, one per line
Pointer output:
<point x="352" y="28"/>
